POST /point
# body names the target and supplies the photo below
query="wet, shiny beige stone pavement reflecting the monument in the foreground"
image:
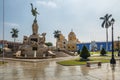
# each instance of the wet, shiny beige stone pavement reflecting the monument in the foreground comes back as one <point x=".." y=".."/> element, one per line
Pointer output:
<point x="49" y="70"/>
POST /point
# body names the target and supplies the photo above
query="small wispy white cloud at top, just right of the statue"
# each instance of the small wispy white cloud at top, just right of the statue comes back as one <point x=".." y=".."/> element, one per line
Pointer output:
<point x="47" y="3"/>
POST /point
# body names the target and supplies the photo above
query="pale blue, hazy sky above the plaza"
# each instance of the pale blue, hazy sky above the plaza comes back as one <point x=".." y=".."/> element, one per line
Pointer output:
<point x="81" y="16"/>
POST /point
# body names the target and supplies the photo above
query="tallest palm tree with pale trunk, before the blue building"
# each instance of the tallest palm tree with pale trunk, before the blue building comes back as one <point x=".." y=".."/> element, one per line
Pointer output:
<point x="106" y="24"/>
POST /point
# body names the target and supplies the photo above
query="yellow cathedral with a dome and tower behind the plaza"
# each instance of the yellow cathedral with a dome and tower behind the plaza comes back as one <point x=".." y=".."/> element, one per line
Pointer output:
<point x="70" y="44"/>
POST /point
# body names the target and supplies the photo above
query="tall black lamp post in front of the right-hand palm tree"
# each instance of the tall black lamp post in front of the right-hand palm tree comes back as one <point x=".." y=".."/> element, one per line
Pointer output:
<point x="112" y="61"/>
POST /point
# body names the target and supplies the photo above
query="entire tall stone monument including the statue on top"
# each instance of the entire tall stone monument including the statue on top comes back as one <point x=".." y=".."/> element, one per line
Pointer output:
<point x="34" y="45"/>
